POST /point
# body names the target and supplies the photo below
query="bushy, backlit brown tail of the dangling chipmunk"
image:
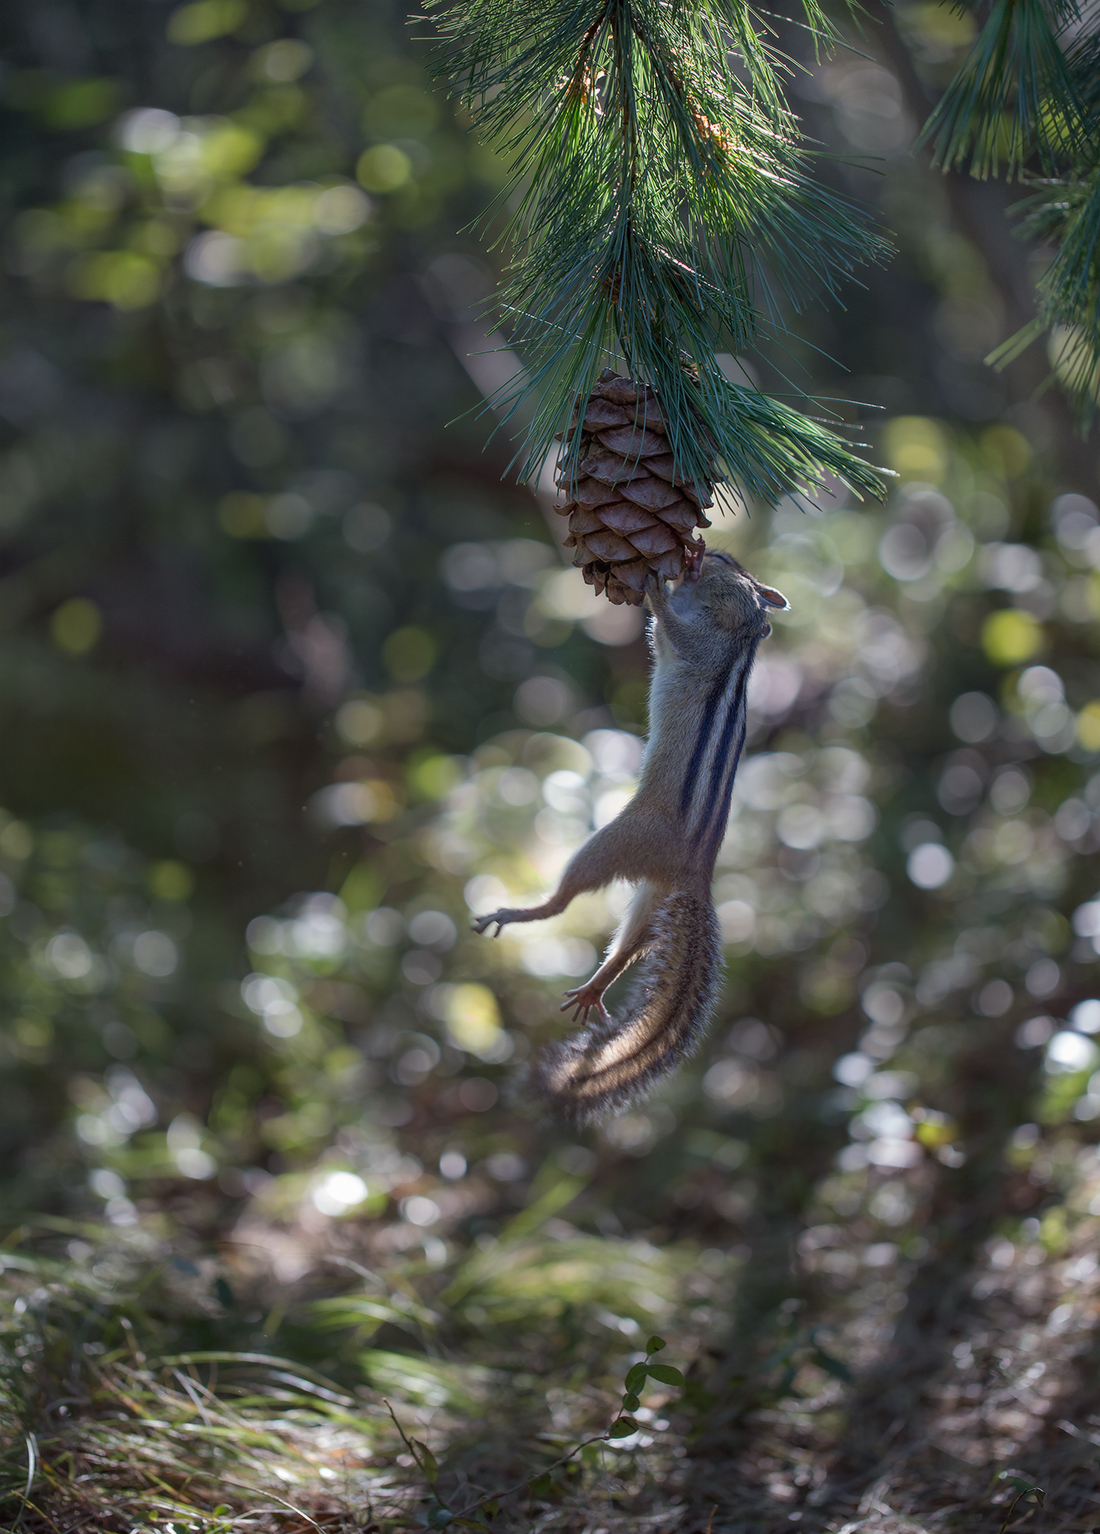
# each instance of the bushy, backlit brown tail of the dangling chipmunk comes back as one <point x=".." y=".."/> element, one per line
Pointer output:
<point x="604" y="1070"/>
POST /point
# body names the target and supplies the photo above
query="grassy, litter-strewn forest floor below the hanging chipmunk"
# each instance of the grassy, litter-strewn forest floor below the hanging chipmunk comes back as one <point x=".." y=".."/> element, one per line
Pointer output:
<point x="154" y="1391"/>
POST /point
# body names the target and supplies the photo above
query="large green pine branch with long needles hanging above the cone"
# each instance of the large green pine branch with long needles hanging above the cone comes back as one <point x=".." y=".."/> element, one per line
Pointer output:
<point x="660" y="211"/>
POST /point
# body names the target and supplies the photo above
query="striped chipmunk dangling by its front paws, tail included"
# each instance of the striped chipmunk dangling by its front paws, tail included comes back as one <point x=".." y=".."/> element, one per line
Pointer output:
<point x="705" y="637"/>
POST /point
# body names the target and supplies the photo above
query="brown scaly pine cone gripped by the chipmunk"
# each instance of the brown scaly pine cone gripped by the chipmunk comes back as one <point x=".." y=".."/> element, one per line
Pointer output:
<point x="631" y="510"/>
